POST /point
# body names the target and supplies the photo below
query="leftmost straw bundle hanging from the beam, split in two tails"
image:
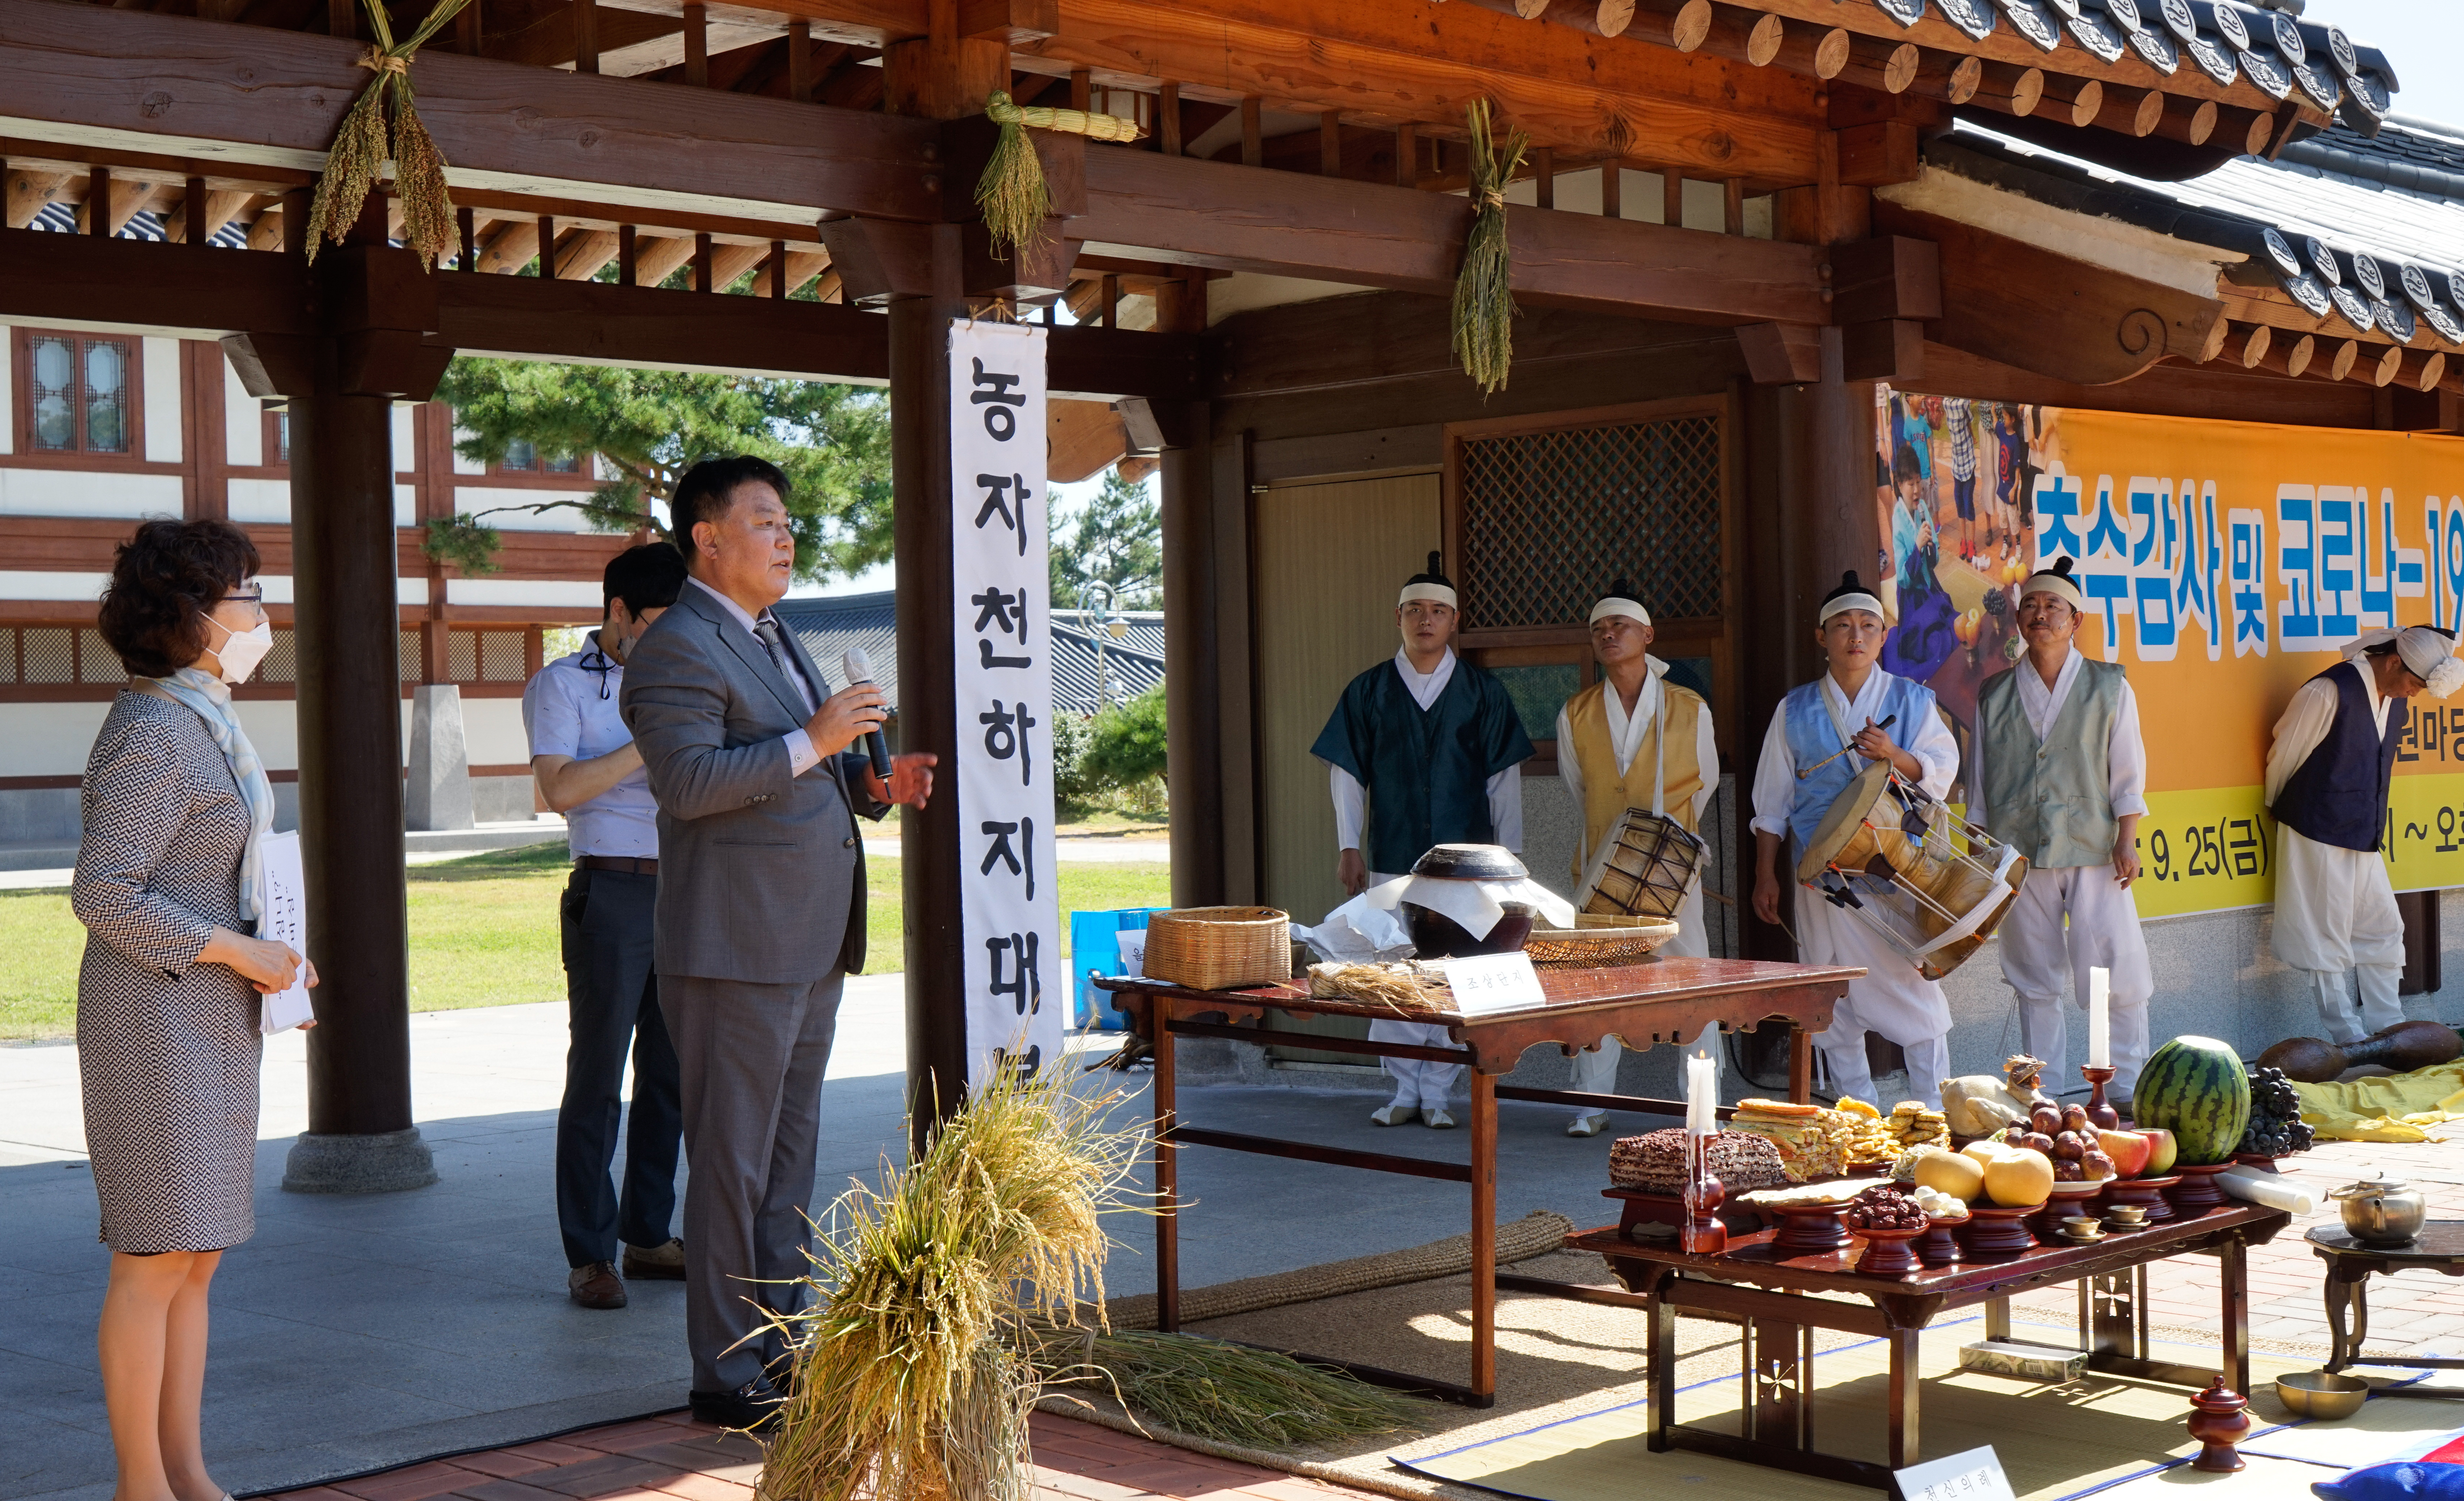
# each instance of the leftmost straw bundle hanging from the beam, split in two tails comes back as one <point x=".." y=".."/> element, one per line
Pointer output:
<point x="361" y="149"/>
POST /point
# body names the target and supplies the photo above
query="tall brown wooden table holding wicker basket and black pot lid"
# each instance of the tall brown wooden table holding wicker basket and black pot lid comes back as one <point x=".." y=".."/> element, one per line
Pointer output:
<point x="1642" y="1004"/>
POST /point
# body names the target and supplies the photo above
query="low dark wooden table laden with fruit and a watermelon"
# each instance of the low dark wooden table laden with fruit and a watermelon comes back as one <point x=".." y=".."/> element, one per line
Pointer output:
<point x="1778" y="1300"/>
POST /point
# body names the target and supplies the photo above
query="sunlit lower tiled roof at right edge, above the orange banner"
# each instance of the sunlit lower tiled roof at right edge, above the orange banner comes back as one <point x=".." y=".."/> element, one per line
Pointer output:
<point x="2362" y="233"/>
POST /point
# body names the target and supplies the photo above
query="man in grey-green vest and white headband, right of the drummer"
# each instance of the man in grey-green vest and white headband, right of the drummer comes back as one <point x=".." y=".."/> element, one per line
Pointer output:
<point x="2059" y="773"/>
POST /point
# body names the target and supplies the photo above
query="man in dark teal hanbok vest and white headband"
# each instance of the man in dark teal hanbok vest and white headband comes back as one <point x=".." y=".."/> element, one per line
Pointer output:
<point x="1435" y="748"/>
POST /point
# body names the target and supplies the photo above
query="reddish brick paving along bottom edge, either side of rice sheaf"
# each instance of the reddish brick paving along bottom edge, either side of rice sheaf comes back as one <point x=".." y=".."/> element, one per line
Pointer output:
<point x="681" y="1460"/>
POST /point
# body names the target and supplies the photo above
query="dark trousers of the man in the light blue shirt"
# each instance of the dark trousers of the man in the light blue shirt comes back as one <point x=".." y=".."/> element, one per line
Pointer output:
<point x="612" y="992"/>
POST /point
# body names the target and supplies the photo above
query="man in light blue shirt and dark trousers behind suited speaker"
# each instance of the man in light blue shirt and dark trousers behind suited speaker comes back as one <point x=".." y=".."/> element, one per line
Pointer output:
<point x="588" y="768"/>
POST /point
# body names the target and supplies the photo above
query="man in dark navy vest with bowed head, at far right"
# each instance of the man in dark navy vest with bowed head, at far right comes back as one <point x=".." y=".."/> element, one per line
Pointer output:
<point x="2327" y="787"/>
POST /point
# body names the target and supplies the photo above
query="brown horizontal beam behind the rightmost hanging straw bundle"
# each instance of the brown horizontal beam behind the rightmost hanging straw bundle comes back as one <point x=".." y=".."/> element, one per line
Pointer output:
<point x="1243" y="221"/>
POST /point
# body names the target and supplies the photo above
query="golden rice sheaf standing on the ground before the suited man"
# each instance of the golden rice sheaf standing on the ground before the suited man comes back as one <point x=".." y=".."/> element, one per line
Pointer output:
<point x="903" y="1386"/>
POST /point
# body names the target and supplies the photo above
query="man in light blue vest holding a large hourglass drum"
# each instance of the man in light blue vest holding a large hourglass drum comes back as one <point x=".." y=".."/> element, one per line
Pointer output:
<point x="1871" y="716"/>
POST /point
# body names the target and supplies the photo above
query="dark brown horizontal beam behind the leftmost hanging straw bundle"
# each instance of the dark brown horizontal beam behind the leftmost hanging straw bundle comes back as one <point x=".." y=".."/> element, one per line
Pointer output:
<point x="267" y="97"/>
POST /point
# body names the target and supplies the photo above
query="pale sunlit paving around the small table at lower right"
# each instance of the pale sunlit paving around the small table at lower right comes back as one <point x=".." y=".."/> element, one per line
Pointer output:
<point x="2409" y="1310"/>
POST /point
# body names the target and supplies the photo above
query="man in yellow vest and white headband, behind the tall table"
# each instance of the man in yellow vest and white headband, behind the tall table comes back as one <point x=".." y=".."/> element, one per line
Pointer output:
<point x="1635" y="741"/>
